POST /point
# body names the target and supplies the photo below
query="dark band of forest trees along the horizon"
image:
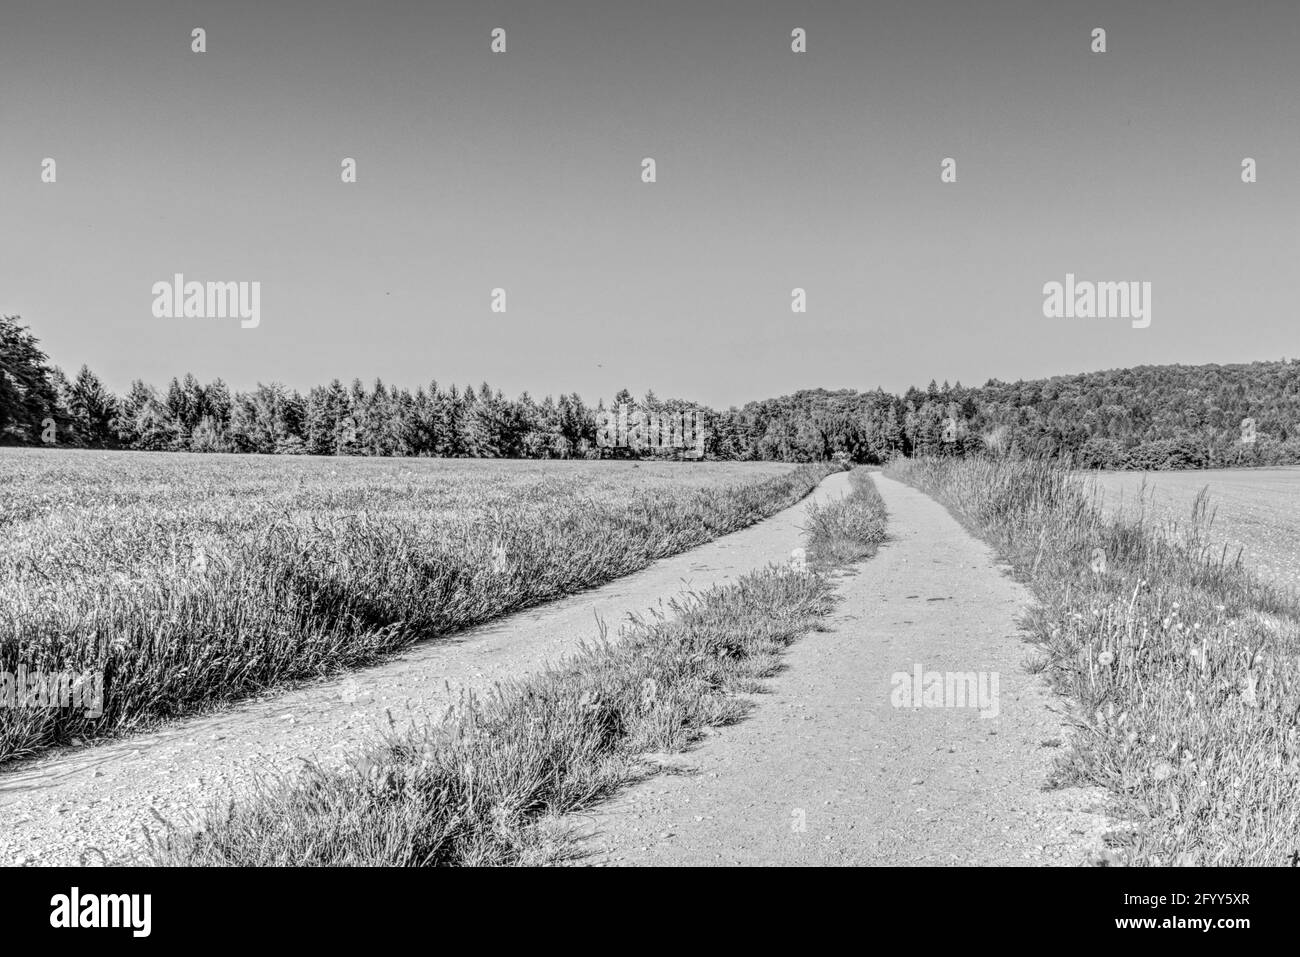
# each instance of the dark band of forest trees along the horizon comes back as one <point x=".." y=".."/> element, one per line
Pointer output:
<point x="1151" y="417"/>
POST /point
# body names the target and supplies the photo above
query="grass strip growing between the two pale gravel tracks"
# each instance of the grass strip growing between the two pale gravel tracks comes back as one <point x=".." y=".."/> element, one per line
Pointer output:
<point x="484" y="786"/>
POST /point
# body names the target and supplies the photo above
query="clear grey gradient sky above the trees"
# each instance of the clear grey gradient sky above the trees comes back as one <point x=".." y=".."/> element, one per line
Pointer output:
<point x="523" y="171"/>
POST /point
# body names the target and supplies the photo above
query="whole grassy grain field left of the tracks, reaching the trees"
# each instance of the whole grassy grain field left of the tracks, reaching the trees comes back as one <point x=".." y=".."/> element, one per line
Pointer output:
<point x="193" y="581"/>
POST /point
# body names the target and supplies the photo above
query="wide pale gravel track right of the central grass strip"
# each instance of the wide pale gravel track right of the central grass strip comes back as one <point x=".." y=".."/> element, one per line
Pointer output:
<point x="827" y="772"/>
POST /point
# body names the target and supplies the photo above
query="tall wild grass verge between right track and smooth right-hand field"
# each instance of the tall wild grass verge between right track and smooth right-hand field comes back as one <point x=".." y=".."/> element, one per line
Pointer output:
<point x="1184" y="669"/>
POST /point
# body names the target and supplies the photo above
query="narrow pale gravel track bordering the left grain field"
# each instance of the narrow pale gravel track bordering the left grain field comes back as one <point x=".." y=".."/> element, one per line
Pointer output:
<point x="93" y="804"/>
